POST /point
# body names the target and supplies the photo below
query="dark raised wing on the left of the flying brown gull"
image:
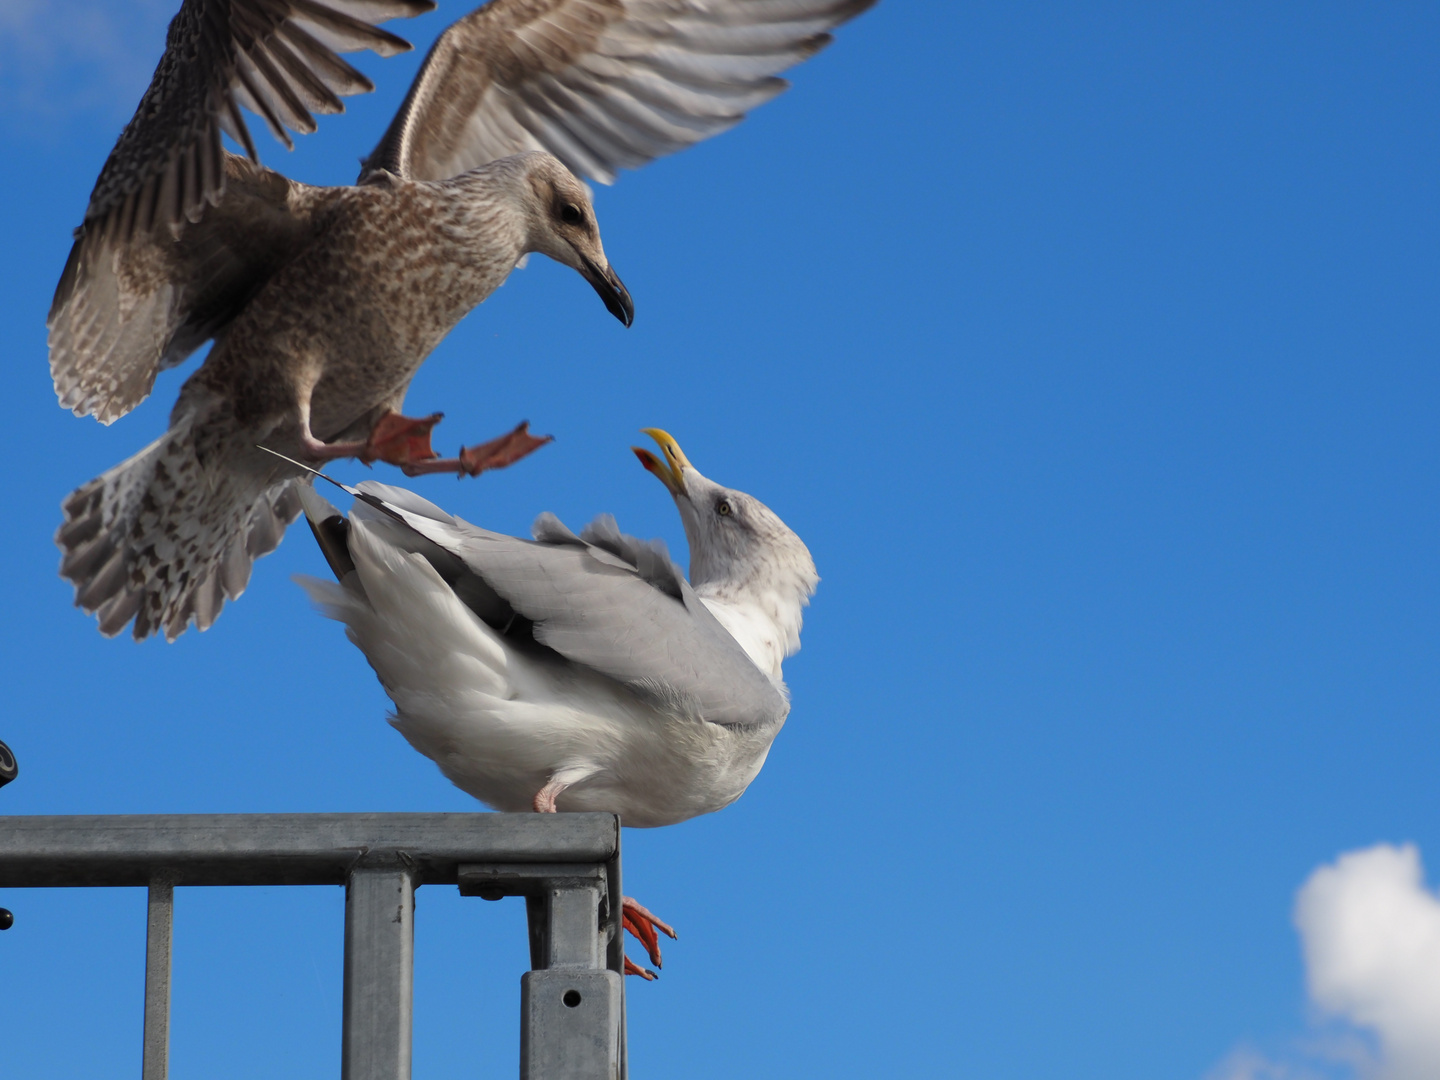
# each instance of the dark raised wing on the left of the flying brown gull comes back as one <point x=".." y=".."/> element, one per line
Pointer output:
<point x="122" y="299"/>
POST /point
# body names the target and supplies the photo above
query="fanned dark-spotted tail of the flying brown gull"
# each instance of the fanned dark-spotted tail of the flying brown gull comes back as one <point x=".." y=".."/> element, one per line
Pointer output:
<point x="165" y="538"/>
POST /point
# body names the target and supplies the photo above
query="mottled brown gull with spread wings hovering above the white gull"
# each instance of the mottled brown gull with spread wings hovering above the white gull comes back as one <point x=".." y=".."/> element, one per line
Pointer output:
<point x="325" y="302"/>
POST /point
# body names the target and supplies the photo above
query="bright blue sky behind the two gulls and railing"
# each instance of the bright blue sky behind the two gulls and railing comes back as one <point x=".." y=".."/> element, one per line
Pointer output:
<point x="1091" y="348"/>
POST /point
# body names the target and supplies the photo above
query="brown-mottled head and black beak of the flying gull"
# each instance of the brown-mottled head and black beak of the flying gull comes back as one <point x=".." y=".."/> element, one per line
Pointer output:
<point x="564" y="227"/>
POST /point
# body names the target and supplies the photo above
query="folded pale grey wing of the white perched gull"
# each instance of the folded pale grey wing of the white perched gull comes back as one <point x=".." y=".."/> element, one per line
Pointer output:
<point x="595" y="608"/>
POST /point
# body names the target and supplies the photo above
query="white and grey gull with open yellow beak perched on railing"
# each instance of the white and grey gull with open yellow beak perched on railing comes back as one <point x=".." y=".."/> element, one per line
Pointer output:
<point x="577" y="673"/>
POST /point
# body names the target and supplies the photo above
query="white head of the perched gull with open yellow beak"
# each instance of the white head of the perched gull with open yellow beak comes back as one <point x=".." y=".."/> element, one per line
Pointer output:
<point x="739" y="549"/>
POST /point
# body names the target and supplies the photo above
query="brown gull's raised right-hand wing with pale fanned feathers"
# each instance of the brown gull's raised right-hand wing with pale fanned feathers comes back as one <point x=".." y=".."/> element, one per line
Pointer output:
<point x="601" y="84"/>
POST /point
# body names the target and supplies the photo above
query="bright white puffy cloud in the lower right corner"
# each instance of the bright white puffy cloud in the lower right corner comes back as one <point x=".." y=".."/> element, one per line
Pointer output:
<point x="1372" y="938"/>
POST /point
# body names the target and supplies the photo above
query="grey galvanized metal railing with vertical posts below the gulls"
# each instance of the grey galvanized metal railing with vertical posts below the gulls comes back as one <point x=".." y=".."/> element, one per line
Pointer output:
<point x="568" y="868"/>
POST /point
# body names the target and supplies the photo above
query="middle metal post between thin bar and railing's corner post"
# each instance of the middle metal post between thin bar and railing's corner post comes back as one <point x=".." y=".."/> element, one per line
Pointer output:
<point x="379" y="980"/>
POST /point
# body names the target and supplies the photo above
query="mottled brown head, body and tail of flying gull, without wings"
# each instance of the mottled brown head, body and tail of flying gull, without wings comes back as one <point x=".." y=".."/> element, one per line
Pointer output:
<point x="325" y="348"/>
